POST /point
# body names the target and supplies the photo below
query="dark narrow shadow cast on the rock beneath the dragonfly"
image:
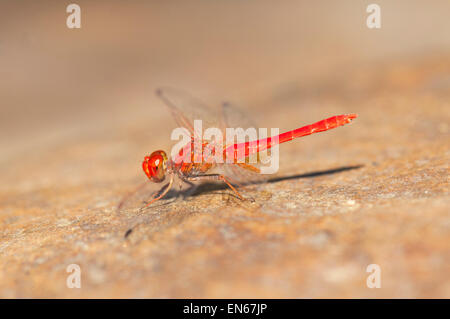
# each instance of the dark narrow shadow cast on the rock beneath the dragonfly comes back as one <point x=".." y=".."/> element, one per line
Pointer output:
<point x="208" y="187"/>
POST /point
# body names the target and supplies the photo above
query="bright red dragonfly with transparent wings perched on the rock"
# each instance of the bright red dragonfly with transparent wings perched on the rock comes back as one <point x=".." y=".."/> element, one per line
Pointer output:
<point x="185" y="109"/>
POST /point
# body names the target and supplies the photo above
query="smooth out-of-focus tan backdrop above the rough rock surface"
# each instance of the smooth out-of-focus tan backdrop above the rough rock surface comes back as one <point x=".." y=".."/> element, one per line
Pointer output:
<point x="59" y="81"/>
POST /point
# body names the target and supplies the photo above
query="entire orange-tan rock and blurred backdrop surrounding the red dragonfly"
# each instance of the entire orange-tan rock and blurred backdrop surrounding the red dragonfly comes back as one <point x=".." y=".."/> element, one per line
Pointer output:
<point x="78" y="113"/>
